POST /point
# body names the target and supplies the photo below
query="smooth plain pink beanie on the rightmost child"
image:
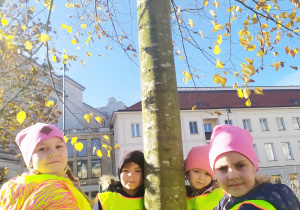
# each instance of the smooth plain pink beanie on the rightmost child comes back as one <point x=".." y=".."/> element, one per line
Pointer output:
<point x="229" y="138"/>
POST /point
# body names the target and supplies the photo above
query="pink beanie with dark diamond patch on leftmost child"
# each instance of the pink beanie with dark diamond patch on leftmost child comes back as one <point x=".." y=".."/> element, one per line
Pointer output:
<point x="28" y="138"/>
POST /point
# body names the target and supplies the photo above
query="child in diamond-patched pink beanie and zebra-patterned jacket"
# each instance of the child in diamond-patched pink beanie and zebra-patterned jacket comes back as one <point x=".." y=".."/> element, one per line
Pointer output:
<point x="45" y="186"/>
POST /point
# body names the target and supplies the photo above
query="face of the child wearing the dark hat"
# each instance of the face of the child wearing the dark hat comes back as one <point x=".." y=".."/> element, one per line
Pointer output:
<point x="131" y="177"/>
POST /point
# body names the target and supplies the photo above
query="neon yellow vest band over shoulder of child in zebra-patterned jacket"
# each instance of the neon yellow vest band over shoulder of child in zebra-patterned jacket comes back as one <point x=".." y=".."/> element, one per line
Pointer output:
<point x="80" y="200"/>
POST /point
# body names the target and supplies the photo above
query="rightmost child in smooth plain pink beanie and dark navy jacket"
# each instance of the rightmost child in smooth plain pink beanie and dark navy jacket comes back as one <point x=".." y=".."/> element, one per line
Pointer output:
<point x="234" y="161"/>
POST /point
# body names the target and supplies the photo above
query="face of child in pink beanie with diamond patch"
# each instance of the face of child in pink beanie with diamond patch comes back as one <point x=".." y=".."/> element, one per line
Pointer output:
<point x="50" y="157"/>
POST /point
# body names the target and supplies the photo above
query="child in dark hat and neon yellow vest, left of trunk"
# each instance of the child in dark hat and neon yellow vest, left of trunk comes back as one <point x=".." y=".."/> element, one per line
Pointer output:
<point x="128" y="193"/>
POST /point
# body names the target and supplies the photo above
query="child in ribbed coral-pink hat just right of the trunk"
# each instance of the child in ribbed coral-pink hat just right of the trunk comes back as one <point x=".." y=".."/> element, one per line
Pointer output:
<point x="202" y="193"/>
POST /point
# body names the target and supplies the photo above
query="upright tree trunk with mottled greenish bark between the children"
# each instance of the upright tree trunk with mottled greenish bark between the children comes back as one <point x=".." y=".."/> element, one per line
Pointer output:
<point x="164" y="172"/>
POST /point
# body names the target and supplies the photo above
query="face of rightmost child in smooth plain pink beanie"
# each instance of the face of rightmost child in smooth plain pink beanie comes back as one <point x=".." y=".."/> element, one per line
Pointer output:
<point x="235" y="173"/>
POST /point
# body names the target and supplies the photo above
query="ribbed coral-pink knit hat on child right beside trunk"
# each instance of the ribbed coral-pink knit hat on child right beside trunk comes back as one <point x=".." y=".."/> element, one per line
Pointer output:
<point x="198" y="158"/>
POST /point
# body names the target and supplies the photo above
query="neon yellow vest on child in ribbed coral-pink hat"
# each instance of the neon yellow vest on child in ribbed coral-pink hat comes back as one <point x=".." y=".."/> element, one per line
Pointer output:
<point x="206" y="201"/>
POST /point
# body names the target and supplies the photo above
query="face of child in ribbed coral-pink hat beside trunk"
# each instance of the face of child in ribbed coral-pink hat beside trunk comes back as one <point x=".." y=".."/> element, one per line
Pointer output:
<point x="198" y="178"/>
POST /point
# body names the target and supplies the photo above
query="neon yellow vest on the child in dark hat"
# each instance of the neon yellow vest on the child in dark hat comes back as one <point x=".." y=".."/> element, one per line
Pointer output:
<point x="115" y="201"/>
